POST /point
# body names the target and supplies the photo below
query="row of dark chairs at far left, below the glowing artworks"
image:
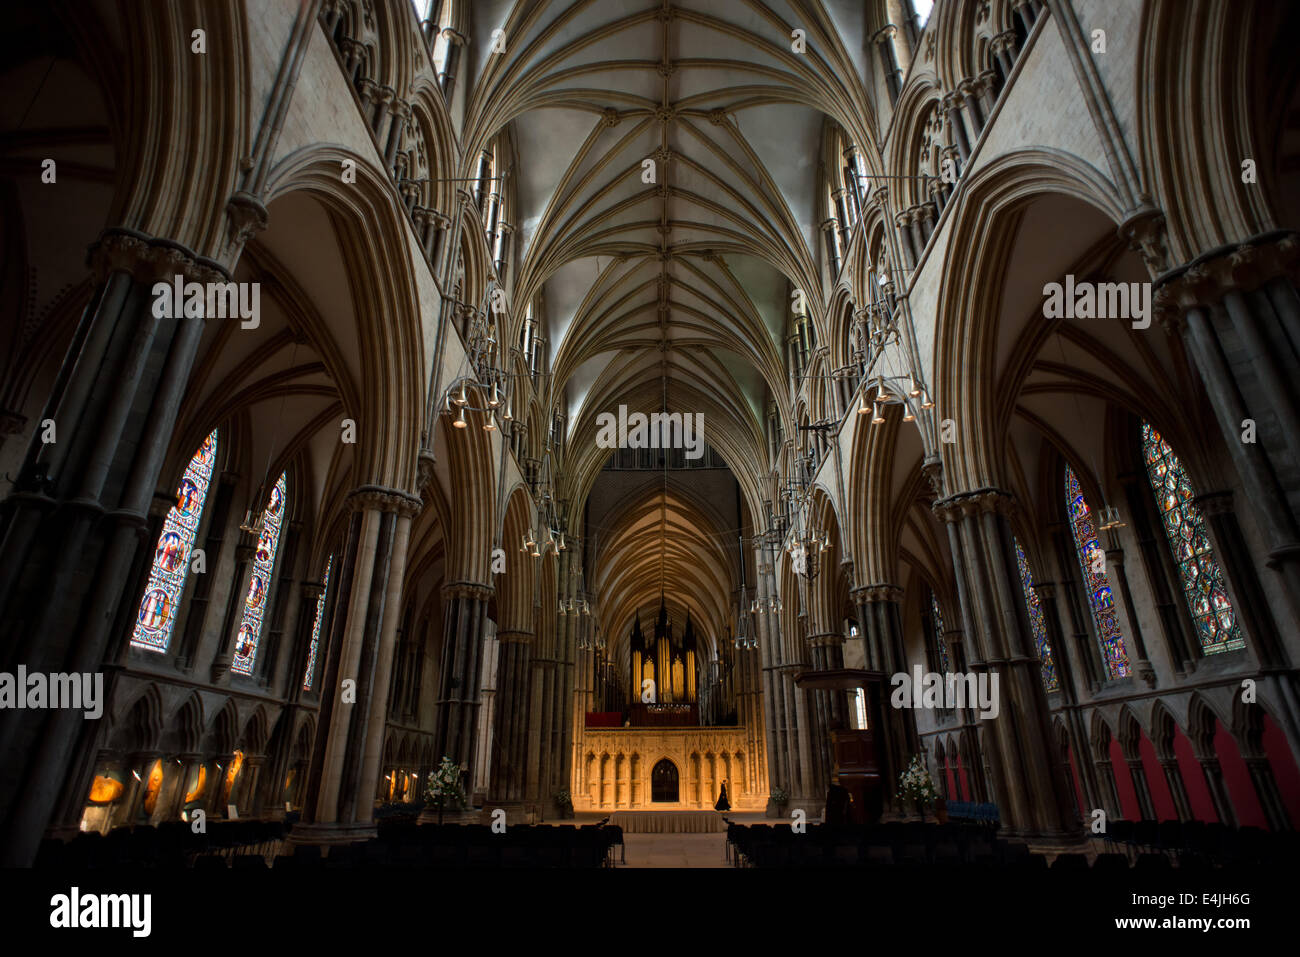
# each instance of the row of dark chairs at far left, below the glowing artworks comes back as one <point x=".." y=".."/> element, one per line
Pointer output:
<point x="170" y="845"/>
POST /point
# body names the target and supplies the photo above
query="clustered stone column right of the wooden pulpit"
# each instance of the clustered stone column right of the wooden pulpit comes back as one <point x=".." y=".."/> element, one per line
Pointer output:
<point x="1033" y="795"/>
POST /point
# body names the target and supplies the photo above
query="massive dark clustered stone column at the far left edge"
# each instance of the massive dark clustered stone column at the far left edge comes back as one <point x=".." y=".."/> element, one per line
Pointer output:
<point x="76" y="525"/>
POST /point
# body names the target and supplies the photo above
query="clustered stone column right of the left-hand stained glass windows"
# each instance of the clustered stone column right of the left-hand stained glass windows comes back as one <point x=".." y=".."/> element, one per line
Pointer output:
<point x="349" y="742"/>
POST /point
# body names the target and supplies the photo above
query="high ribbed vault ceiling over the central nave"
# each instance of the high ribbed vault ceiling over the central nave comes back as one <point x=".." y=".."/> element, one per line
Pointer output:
<point x="686" y="280"/>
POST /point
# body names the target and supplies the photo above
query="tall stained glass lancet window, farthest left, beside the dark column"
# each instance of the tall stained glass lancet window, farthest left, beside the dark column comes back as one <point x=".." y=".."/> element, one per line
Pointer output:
<point x="157" y="618"/>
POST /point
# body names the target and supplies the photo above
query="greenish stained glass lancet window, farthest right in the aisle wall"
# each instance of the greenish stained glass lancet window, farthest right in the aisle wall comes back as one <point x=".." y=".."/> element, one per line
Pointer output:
<point x="1203" y="579"/>
